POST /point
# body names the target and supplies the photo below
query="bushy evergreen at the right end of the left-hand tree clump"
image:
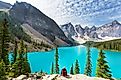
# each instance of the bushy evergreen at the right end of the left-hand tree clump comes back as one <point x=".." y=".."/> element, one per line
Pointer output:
<point x="21" y="66"/>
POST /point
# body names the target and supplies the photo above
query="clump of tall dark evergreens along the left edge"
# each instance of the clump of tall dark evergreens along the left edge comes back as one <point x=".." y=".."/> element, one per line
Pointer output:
<point x="19" y="63"/>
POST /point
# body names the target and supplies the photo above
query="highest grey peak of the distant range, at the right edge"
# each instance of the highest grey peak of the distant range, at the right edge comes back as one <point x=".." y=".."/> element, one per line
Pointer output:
<point x="112" y="29"/>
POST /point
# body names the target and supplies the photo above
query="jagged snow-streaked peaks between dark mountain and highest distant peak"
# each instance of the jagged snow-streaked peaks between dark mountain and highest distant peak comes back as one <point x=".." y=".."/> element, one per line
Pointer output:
<point x="78" y="33"/>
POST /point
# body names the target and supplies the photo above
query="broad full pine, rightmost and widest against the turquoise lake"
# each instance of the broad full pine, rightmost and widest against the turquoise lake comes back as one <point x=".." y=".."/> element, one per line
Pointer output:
<point x="102" y="67"/>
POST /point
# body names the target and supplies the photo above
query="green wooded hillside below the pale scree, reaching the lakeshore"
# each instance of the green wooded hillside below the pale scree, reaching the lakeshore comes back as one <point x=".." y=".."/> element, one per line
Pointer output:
<point x="16" y="32"/>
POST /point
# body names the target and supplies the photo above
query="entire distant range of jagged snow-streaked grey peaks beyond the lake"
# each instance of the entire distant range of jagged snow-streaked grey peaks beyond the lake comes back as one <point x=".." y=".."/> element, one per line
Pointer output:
<point x="106" y="32"/>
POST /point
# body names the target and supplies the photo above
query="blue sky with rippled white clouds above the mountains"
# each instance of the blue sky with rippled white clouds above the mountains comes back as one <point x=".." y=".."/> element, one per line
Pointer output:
<point x="86" y="13"/>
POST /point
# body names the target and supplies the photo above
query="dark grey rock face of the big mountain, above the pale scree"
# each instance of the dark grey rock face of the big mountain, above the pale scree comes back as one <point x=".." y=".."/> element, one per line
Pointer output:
<point x="27" y="14"/>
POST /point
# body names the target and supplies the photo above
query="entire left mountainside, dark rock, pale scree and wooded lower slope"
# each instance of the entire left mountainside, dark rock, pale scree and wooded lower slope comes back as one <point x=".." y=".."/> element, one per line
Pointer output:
<point x="29" y="23"/>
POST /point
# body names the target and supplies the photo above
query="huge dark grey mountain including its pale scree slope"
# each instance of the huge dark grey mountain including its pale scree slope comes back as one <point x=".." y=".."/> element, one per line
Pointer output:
<point x="38" y="25"/>
